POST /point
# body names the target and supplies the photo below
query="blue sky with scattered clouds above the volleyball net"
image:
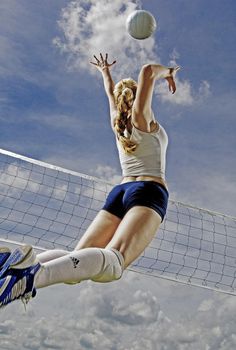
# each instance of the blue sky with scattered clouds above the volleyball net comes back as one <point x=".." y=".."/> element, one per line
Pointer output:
<point x="53" y="107"/>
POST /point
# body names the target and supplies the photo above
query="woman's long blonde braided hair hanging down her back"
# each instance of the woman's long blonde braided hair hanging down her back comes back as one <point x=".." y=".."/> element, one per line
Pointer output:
<point x="124" y="93"/>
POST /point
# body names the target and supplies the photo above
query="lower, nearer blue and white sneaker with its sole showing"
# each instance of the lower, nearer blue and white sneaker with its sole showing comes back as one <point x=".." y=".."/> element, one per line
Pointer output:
<point x="18" y="284"/>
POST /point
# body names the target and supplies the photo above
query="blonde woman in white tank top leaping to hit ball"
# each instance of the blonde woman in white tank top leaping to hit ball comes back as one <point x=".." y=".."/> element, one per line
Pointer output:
<point x="133" y="210"/>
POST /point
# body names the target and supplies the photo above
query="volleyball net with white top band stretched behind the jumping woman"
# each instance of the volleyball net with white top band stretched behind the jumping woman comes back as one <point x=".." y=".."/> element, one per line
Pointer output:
<point x="51" y="207"/>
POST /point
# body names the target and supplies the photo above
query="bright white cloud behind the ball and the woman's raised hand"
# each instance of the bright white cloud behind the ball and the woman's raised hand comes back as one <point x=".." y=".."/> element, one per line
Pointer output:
<point x="90" y="27"/>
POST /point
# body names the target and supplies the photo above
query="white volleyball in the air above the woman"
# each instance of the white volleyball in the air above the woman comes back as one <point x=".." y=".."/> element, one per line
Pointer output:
<point x="141" y="24"/>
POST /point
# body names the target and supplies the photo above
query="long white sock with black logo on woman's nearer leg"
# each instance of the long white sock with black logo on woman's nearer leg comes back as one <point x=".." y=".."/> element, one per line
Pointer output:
<point x="100" y="265"/>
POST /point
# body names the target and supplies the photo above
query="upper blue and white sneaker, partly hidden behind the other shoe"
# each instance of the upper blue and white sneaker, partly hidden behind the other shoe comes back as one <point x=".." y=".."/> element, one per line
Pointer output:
<point x="23" y="256"/>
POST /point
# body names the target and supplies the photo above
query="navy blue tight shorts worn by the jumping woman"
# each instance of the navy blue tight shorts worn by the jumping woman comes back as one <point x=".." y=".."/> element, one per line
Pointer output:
<point x="144" y="193"/>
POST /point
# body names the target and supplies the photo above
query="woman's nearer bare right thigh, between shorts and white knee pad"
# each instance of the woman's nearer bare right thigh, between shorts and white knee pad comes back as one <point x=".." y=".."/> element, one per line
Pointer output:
<point x="135" y="232"/>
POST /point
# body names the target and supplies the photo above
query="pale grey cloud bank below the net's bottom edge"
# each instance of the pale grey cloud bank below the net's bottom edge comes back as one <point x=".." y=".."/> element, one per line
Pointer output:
<point x="134" y="313"/>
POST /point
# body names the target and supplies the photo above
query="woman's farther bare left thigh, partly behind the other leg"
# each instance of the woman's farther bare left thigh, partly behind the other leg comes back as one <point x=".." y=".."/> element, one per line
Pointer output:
<point x="100" y="231"/>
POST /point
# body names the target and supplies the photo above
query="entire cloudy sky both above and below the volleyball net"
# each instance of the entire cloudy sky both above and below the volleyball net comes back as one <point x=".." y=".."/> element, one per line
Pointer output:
<point x="53" y="108"/>
